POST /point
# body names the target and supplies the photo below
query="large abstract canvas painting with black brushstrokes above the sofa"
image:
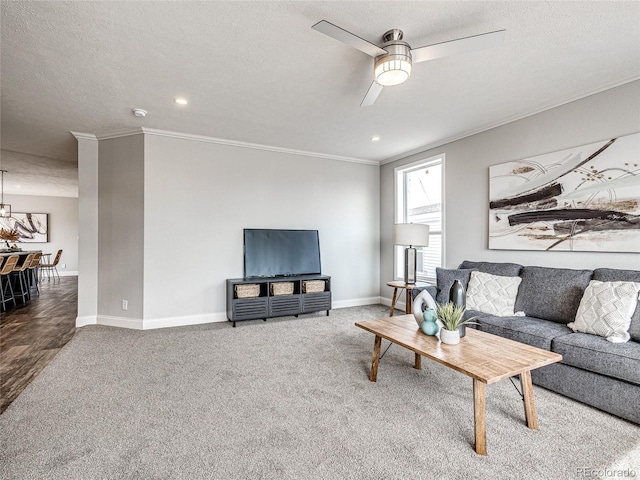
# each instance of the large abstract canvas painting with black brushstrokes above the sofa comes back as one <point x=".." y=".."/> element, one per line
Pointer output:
<point x="585" y="198"/>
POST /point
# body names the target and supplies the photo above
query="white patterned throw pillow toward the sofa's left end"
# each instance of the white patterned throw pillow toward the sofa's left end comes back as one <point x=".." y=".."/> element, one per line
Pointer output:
<point x="492" y="294"/>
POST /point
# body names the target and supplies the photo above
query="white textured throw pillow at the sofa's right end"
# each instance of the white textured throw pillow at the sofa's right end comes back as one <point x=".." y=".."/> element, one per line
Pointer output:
<point x="606" y="309"/>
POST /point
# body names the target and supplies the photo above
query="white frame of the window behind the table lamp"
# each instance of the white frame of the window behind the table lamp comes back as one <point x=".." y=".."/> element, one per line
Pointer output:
<point x="400" y="214"/>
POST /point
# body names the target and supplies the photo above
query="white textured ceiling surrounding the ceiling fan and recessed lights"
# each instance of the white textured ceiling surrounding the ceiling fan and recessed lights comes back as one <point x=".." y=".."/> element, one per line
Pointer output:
<point x="256" y="72"/>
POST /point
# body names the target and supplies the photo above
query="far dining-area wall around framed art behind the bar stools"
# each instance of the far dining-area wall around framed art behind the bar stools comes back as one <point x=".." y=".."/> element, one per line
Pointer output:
<point x="63" y="227"/>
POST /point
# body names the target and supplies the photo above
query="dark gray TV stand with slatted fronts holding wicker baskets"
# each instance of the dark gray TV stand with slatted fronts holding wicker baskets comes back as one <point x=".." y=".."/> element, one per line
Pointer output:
<point x="267" y="305"/>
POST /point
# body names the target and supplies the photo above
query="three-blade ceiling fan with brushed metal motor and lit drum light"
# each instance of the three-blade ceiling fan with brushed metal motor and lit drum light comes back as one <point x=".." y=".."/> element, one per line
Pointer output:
<point x="394" y="58"/>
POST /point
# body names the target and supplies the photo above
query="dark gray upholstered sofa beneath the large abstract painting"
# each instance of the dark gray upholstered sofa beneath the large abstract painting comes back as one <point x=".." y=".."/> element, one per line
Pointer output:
<point x="593" y="370"/>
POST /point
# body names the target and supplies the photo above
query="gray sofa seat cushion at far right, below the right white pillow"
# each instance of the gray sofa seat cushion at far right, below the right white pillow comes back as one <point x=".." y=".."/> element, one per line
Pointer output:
<point x="593" y="353"/>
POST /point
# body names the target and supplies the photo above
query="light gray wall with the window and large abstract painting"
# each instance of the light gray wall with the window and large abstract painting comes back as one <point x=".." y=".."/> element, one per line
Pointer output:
<point x="609" y="114"/>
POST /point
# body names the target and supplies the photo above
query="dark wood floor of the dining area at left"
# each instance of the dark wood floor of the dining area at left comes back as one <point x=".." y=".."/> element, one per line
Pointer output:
<point x="32" y="334"/>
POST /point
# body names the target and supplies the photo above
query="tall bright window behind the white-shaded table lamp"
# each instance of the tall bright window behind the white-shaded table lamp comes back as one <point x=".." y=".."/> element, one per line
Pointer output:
<point x="419" y="200"/>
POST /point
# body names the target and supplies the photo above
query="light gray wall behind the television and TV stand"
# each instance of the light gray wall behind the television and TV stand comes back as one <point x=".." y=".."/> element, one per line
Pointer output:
<point x="199" y="197"/>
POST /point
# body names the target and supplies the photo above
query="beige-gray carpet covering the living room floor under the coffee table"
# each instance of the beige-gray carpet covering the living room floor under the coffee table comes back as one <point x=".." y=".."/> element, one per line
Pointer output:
<point x="286" y="399"/>
